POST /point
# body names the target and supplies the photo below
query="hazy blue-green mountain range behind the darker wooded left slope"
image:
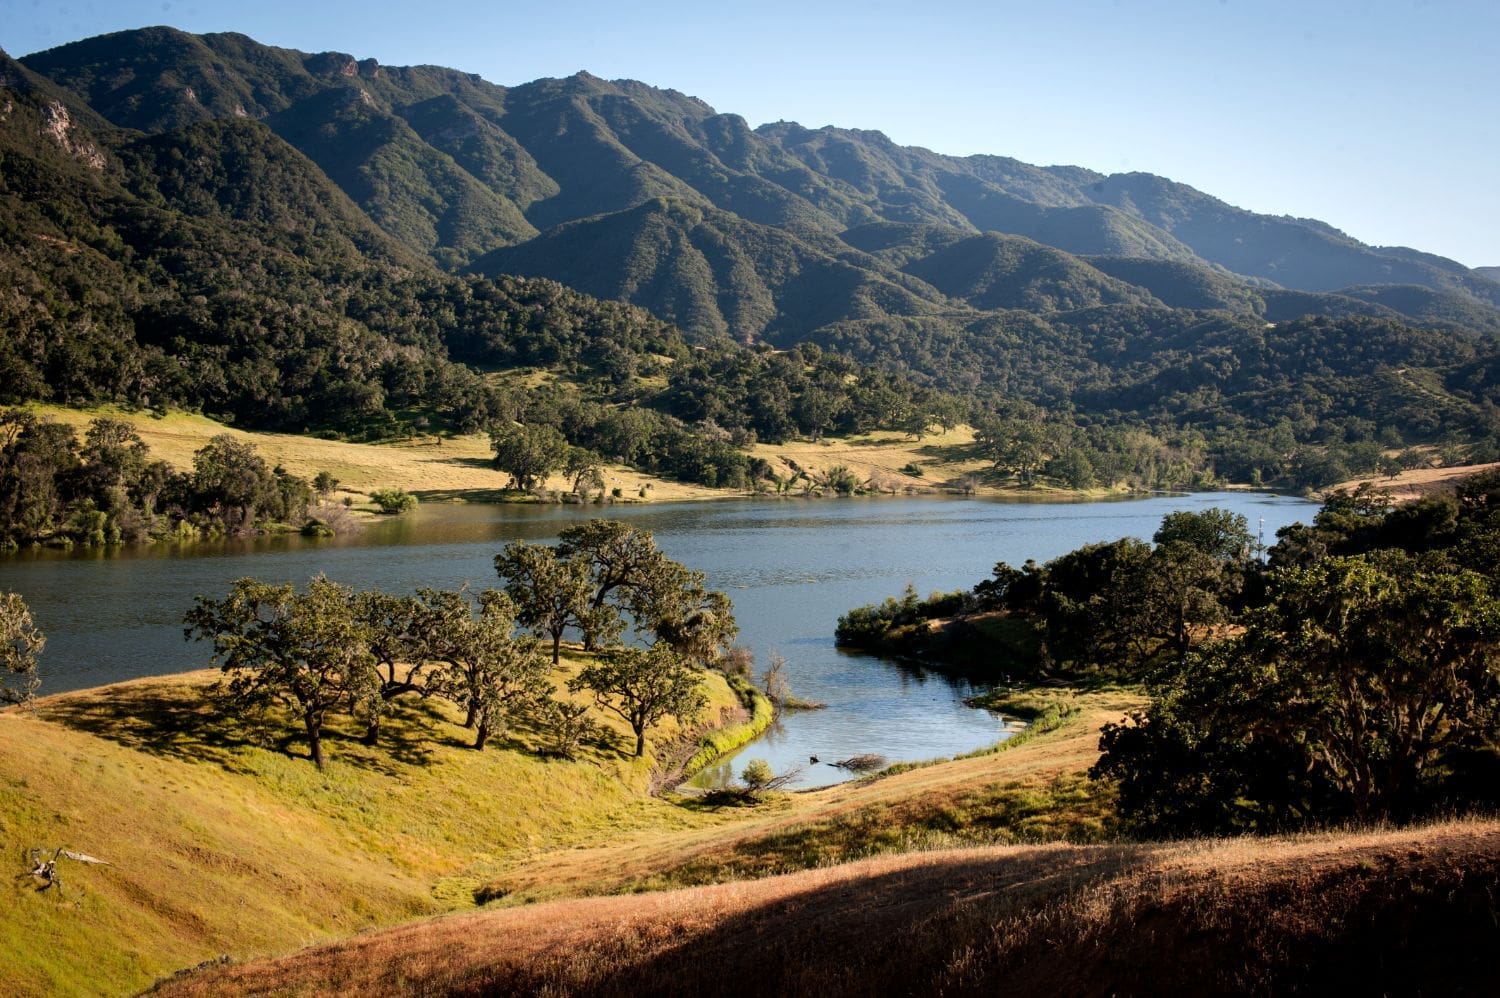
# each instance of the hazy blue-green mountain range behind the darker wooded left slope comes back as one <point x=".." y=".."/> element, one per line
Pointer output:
<point x="650" y="196"/>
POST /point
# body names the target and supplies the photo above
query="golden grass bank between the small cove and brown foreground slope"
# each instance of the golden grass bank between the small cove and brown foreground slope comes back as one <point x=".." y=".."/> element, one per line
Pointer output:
<point x="1036" y="792"/>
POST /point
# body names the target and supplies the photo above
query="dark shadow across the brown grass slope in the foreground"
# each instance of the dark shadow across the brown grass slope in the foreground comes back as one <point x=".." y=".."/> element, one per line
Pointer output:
<point x="1118" y="919"/>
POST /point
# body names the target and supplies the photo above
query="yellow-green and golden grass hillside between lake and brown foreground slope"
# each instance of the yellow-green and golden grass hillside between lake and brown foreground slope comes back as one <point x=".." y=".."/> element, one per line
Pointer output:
<point x="223" y="840"/>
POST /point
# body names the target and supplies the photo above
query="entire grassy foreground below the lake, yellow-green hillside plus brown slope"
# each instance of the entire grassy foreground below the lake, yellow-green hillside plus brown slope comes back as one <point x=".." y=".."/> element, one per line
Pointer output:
<point x="226" y="849"/>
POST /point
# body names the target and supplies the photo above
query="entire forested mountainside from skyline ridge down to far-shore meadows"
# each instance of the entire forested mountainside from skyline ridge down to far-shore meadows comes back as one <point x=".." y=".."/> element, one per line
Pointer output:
<point x="325" y="244"/>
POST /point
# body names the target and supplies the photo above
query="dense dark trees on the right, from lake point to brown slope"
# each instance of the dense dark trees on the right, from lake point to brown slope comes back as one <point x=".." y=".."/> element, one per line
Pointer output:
<point x="1349" y="673"/>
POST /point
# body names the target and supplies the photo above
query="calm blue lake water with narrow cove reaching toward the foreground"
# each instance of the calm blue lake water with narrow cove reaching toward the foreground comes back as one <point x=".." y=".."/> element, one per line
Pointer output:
<point x="791" y="567"/>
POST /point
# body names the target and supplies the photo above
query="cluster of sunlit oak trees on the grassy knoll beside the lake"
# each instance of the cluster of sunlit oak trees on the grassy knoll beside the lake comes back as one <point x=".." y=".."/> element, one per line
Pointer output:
<point x="332" y="651"/>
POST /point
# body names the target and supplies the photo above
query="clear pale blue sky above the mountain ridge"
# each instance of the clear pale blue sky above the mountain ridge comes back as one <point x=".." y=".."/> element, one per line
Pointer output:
<point x="1378" y="116"/>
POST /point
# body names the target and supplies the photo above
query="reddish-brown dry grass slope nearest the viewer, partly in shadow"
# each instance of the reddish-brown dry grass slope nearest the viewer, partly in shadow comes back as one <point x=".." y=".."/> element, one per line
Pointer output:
<point x="1400" y="912"/>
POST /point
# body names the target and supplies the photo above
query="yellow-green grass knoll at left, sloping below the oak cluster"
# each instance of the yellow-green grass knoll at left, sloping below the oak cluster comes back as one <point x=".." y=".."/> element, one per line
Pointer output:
<point x="223" y="838"/>
